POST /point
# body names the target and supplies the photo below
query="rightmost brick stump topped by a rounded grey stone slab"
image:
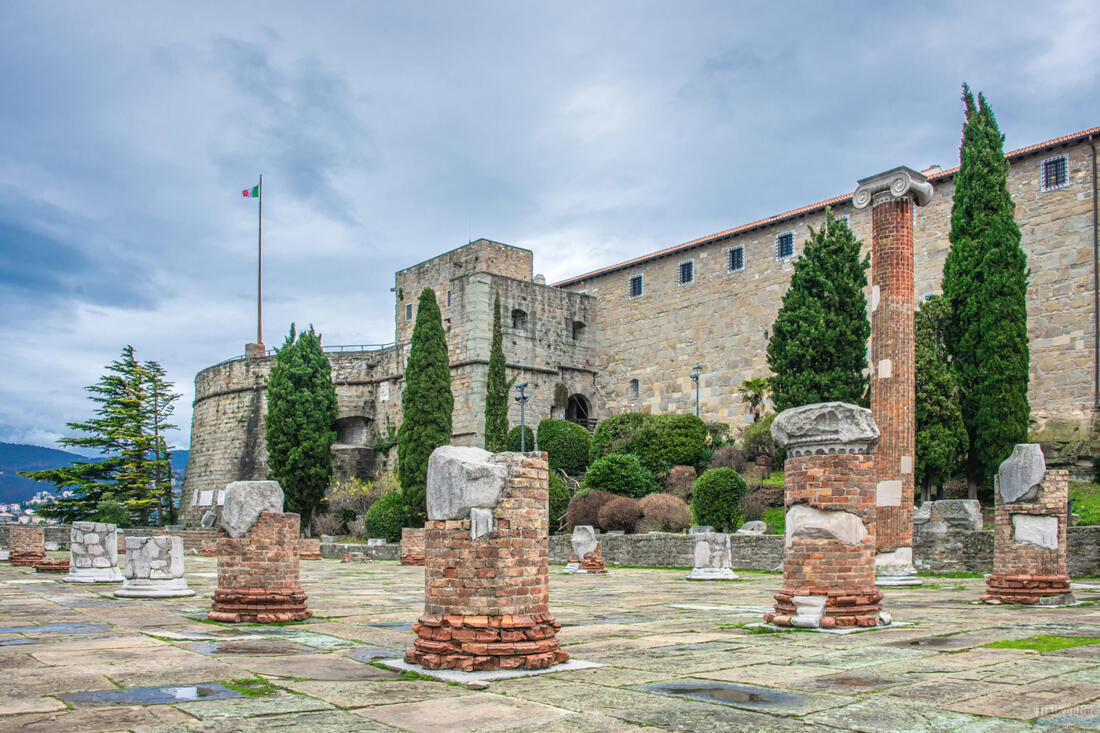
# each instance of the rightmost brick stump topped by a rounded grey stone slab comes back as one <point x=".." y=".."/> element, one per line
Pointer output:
<point x="1030" y="528"/>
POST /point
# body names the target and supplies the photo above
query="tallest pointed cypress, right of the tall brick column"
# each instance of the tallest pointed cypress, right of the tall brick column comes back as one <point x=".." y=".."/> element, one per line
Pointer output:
<point x="986" y="286"/>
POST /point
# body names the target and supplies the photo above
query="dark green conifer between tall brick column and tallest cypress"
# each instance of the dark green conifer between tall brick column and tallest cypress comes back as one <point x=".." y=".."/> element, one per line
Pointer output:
<point x="941" y="435"/>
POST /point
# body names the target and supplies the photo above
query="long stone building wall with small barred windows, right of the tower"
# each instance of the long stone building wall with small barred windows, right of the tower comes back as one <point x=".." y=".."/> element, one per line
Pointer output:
<point x="723" y="320"/>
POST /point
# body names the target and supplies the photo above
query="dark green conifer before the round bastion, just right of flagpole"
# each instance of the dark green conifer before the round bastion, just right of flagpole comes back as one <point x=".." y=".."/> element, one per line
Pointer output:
<point x="302" y="415"/>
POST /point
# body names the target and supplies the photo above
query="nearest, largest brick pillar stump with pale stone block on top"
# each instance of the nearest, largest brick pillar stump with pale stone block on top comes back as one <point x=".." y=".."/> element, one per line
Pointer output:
<point x="487" y="557"/>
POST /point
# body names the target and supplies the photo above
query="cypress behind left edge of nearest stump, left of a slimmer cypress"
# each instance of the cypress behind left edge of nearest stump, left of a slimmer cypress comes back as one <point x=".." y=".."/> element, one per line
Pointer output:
<point x="427" y="407"/>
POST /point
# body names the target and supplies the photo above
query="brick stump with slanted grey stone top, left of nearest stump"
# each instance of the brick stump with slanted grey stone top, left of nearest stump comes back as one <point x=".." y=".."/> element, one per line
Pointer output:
<point x="259" y="576"/>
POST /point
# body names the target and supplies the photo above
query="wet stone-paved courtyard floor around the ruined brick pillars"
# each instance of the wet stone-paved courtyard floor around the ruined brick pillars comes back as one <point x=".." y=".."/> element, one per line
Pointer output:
<point x="678" y="655"/>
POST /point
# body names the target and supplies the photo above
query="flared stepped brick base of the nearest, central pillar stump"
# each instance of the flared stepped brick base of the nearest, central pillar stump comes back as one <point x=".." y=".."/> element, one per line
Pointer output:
<point x="480" y="643"/>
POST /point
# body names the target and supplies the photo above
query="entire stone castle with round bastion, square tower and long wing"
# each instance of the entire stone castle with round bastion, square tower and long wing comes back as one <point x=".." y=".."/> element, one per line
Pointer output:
<point x="626" y="338"/>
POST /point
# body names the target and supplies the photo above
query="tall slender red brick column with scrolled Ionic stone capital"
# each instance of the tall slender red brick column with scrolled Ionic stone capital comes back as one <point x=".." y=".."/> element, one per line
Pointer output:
<point x="894" y="196"/>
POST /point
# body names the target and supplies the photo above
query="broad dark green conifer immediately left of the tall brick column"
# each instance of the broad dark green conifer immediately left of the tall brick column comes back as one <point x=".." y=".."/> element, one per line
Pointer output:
<point x="818" y="352"/>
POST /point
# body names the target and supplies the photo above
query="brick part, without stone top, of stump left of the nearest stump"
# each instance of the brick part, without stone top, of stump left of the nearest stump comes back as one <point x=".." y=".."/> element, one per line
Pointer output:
<point x="259" y="576"/>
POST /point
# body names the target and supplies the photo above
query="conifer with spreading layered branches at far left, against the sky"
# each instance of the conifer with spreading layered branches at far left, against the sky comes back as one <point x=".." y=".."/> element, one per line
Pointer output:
<point x="120" y="433"/>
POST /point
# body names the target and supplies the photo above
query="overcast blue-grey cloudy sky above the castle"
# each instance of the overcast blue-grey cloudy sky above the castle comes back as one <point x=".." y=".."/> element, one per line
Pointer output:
<point x="589" y="133"/>
